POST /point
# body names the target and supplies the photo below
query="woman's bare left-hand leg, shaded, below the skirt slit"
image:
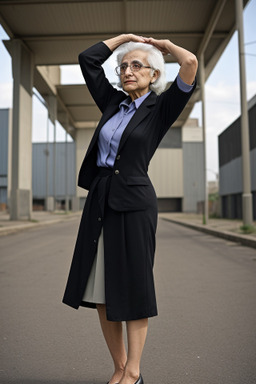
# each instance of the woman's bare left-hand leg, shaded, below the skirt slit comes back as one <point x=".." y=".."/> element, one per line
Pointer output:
<point x="113" y="334"/>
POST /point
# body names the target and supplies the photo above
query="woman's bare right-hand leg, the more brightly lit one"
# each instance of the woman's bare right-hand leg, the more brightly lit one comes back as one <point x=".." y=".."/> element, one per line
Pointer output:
<point x="136" y="335"/>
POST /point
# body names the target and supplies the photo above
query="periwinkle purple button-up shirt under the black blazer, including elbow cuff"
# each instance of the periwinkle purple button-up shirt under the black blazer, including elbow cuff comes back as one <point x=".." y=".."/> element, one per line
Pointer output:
<point x="111" y="132"/>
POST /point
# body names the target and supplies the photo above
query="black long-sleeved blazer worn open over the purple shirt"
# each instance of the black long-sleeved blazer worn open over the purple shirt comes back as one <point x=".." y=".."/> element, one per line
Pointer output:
<point x="130" y="186"/>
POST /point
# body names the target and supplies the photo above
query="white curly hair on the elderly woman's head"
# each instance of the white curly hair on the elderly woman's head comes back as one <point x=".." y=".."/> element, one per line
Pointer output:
<point x="155" y="60"/>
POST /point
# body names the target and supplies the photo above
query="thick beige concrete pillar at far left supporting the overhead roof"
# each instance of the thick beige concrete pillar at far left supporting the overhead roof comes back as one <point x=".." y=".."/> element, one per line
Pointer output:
<point x="21" y="179"/>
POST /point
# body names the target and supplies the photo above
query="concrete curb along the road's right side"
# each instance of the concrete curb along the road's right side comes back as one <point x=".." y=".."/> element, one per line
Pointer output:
<point x="241" y="239"/>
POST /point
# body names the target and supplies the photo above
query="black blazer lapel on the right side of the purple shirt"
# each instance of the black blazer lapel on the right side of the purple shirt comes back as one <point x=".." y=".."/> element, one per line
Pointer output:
<point x="139" y="115"/>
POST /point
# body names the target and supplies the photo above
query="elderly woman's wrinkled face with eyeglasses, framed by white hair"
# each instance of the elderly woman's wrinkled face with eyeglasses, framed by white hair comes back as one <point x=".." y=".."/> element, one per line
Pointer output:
<point x="136" y="84"/>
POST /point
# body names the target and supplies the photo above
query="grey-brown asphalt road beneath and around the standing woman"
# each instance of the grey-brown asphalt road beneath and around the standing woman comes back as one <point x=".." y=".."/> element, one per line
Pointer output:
<point x="205" y="332"/>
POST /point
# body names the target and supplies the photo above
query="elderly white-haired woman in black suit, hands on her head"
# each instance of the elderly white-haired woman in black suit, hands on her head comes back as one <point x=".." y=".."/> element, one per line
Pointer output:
<point x="112" y="267"/>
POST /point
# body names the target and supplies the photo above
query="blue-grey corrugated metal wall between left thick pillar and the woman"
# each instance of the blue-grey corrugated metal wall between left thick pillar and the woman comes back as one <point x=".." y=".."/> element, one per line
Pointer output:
<point x="39" y="170"/>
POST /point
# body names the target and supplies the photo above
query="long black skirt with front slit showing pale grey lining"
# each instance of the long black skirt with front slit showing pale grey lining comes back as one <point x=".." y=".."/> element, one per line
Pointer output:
<point x="129" y="248"/>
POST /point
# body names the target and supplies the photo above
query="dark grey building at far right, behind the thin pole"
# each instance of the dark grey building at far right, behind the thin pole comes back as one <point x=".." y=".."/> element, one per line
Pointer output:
<point x="230" y="165"/>
